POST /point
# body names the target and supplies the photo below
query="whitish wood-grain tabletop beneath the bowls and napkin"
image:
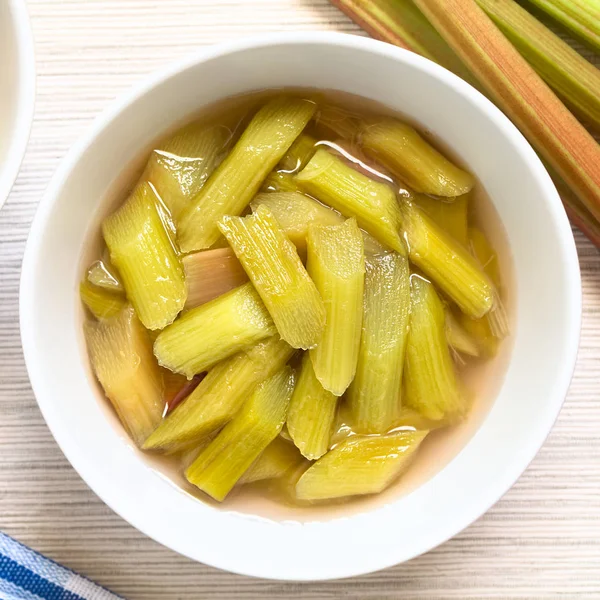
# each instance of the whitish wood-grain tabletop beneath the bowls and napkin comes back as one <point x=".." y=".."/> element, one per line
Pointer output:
<point x="542" y="540"/>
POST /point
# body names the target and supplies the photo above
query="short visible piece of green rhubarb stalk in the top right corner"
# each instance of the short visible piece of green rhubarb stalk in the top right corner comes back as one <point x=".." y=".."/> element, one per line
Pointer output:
<point x="581" y="17"/>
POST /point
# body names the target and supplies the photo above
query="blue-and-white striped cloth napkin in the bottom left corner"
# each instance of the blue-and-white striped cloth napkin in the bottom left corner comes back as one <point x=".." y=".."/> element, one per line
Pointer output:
<point x="27" y="575"/>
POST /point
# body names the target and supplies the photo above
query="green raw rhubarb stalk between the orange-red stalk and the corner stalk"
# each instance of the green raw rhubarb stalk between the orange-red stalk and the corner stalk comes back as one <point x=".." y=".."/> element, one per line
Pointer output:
<point x="575" y="80"/>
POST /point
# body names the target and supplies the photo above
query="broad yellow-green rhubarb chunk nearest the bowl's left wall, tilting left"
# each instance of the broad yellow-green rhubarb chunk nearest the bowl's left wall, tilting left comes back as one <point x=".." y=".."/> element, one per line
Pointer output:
<point x="142" y="251"/>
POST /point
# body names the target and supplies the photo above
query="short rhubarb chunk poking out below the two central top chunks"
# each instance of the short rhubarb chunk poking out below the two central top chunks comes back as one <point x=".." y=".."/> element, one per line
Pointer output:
<point x="312" y="412"/>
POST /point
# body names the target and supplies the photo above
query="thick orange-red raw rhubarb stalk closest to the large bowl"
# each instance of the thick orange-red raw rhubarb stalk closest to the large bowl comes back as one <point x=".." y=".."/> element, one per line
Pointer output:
<point x="559" y="138"/>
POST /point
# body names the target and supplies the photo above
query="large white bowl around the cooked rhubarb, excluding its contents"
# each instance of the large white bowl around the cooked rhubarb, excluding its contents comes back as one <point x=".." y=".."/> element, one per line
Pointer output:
<point x="548" y="306"/>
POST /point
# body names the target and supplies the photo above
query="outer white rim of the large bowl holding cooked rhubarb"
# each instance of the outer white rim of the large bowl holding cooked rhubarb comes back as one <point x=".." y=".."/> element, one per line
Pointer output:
<point x="502" y="483"/>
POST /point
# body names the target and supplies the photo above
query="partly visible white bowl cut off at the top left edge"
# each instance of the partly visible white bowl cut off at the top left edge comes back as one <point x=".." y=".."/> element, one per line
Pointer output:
<point x="17" y="82"/>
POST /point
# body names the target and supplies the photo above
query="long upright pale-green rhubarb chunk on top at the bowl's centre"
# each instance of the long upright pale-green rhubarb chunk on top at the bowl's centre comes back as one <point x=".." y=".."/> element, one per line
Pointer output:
<point x="336" y="263"/>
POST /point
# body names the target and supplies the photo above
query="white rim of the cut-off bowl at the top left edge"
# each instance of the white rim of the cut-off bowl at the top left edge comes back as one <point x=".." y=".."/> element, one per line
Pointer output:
<point x="25" y="98"/>
